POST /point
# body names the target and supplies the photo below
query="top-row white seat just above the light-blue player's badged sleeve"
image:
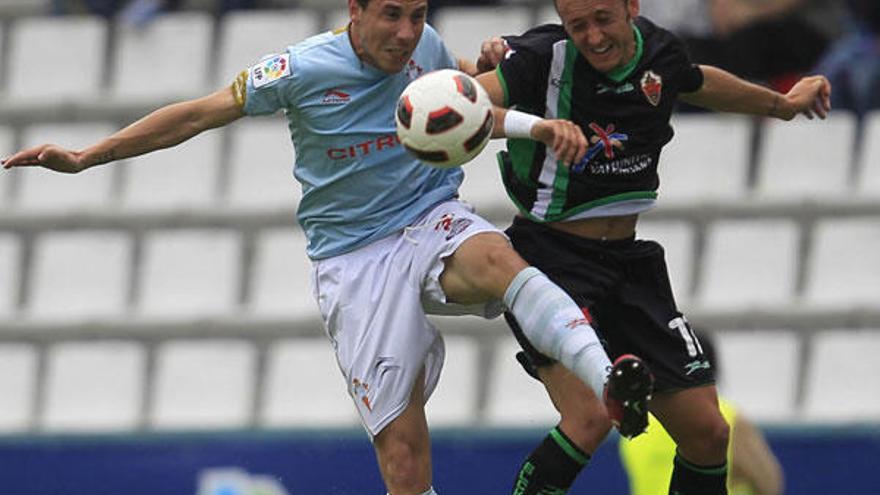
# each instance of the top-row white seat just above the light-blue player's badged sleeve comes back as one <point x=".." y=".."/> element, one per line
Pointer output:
<point x="246" y="36"/>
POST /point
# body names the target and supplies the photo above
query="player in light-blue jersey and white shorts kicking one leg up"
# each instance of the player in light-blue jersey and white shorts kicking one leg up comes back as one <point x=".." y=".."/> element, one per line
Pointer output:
<point x="388" y="239"/>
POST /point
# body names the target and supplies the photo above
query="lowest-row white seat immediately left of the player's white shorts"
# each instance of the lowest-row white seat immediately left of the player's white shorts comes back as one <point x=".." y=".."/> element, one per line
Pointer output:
<point x="304" y="387"/>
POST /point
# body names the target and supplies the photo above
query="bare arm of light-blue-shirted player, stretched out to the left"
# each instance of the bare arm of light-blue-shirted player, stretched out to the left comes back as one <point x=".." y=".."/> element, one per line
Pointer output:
<point x="166" y="127"/>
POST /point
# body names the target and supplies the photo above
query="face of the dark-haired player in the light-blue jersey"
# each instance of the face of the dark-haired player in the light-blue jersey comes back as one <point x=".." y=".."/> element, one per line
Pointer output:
<point x="386" y="32"/>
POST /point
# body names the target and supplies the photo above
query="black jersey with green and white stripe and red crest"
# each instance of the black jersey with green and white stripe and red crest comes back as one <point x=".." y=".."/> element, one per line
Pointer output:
<point x="624" y="114"/>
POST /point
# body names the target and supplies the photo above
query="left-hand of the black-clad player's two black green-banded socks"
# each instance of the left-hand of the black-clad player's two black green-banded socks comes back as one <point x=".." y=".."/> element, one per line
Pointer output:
<point x="552" y="467"/>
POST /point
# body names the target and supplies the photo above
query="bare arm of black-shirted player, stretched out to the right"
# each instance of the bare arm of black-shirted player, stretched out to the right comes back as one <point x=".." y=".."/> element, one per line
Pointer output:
<point x="724" y="92"/>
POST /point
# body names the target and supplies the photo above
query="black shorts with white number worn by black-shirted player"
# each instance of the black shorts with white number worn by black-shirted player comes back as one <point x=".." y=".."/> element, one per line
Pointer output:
<point x="623" y="288"/>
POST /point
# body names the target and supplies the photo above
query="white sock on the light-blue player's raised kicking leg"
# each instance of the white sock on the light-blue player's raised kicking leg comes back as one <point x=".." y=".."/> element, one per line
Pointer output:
<point x="556" y="326"/>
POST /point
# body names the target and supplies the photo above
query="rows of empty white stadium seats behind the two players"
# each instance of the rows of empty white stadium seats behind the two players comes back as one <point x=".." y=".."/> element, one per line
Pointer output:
<point x="756" y="217"/>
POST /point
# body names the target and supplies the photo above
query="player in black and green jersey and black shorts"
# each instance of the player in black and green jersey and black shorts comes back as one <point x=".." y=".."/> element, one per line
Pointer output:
<point x="617" y="76"/>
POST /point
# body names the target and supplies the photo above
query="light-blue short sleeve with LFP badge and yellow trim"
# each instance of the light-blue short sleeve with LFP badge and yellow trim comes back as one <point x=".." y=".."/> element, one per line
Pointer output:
<point x="265" y="87"/>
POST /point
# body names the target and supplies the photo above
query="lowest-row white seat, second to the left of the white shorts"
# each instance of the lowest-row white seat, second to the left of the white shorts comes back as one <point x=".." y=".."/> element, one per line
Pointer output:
<point x="203" y="385"/>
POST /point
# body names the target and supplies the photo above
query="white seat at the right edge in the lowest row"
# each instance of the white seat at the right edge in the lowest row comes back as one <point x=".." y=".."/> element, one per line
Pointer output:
<point x="843" y="383"/>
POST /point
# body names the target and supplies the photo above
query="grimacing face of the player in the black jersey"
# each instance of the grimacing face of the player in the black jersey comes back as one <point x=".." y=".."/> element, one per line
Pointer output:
<point x="601" y="30"/>
